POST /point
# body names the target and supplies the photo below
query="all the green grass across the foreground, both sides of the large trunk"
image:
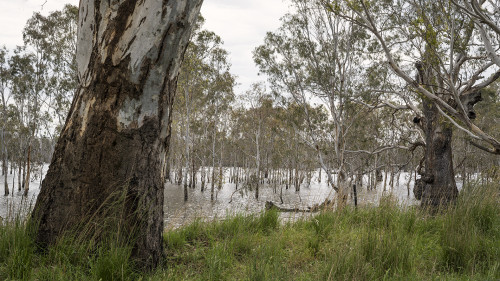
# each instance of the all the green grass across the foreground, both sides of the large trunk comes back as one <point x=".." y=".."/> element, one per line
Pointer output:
<point x="382" y="243"/>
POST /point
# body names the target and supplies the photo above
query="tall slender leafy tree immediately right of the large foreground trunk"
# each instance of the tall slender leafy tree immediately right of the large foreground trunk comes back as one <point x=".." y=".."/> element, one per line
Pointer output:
<point x="205" y="67"/>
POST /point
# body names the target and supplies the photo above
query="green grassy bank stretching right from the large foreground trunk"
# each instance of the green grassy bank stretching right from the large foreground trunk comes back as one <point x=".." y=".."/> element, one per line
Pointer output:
<point x="386" y="242"/>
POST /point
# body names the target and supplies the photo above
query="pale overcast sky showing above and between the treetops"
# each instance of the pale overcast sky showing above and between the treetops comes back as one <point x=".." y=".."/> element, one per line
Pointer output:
<point x="242" y="24"/>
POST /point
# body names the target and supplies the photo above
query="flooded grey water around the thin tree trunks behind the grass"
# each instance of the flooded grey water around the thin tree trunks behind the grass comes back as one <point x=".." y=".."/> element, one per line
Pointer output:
<point x="199" y="205"/>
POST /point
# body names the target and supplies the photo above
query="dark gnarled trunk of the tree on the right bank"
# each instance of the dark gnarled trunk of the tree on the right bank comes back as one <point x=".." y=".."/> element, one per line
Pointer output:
<point x="439" y="178"/>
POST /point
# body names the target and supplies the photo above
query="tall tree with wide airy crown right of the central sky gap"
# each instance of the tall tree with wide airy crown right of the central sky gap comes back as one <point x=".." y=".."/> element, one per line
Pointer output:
<point x="315" y="56"/>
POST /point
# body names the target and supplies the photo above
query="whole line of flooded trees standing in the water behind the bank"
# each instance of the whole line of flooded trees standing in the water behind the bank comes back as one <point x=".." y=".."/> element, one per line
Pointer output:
<point x="332" y="106"/>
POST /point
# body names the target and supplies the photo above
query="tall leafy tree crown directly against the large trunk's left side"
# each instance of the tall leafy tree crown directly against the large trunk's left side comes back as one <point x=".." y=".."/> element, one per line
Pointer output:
<point x="52" y="39"/>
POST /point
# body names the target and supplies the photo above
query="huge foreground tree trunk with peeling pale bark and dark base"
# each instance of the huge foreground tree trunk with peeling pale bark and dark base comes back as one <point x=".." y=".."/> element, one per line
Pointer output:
<point x="117" y="133"/>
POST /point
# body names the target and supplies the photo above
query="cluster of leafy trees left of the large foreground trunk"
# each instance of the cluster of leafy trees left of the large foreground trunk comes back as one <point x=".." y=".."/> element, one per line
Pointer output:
<point x="37" y="83"/>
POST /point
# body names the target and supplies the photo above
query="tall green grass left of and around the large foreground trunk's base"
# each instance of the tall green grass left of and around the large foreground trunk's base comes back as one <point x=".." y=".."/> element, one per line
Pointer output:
<point x="71" y="258"/>
